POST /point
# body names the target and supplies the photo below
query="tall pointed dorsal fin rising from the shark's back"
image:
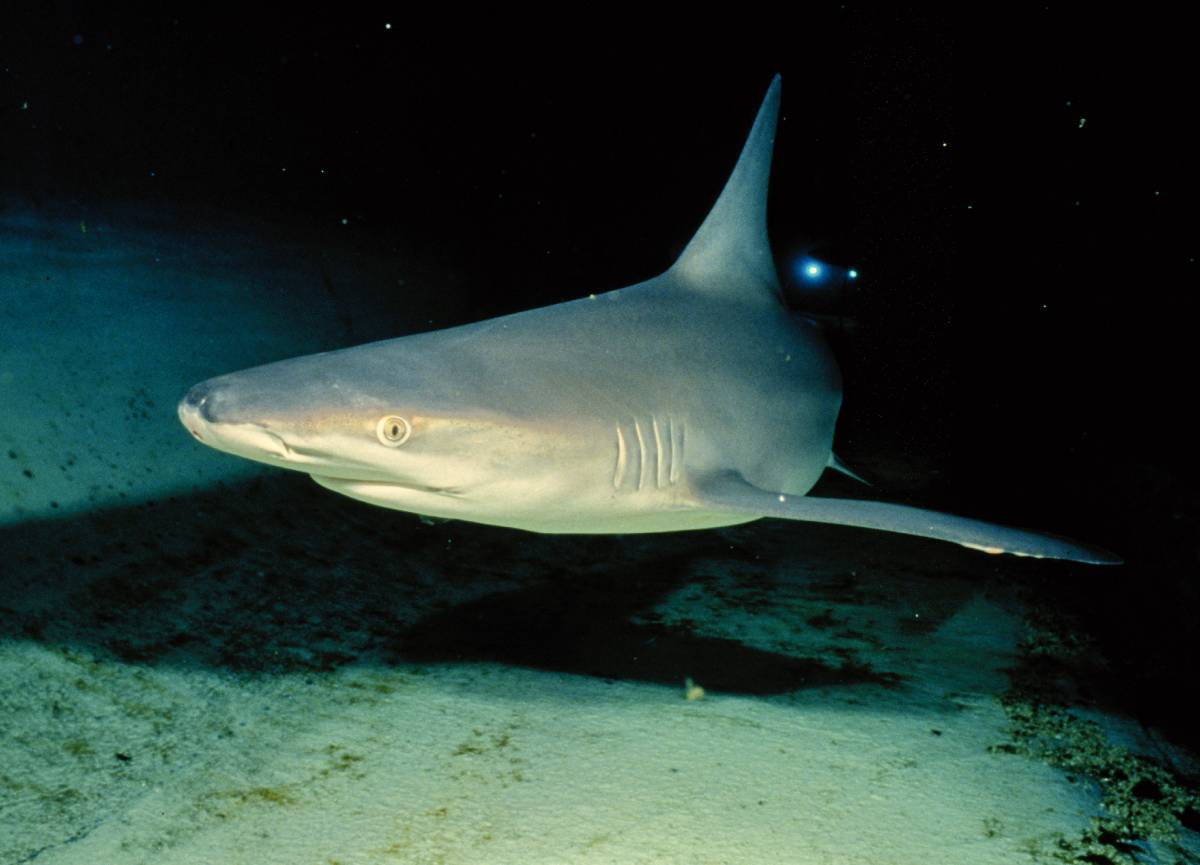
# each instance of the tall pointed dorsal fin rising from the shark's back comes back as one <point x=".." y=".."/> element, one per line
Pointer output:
<point x="733" y="241"/>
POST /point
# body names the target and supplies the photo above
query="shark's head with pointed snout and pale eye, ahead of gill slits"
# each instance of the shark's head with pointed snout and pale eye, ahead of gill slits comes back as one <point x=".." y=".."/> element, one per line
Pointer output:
<point x="367" y="423"/>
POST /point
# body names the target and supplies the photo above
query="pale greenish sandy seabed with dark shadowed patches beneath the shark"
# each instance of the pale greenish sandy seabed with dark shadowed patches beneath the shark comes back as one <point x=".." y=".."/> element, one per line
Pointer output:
<point x="201" y="663"/>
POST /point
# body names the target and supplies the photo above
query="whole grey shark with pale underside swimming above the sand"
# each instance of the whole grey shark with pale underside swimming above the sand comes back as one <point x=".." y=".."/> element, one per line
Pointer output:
<point x="688" y="401"/>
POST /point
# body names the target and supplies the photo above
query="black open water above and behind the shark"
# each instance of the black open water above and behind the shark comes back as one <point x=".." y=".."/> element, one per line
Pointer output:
<point x="1016" y="193"/>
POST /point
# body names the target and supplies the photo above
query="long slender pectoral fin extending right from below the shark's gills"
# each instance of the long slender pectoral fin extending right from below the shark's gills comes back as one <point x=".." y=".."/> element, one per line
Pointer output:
<point x="731" y="494"/>
